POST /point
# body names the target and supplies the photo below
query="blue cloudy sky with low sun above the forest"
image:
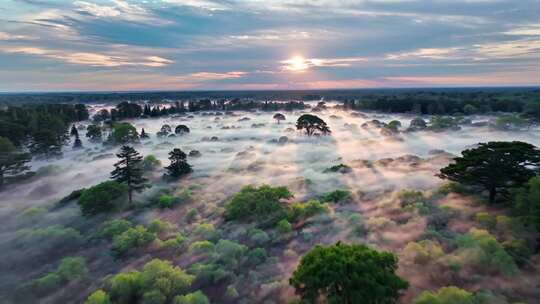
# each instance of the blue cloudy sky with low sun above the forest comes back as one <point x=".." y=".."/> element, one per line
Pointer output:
<point x="122" y="45"/>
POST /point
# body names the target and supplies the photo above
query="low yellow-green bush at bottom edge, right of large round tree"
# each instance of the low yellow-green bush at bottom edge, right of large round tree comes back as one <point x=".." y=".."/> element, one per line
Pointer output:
<point x="445" y="295"/>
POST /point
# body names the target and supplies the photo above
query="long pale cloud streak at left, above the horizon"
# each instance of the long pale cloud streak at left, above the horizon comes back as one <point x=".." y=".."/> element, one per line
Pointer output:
<point x="89" y="59"/>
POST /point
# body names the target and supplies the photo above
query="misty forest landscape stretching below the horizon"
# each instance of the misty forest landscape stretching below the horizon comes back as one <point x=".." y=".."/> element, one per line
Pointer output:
<point x="324" y="197"/>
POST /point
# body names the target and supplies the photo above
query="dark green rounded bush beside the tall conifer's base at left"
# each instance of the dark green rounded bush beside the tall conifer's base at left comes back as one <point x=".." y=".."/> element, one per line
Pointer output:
<point x="104" y="197"/>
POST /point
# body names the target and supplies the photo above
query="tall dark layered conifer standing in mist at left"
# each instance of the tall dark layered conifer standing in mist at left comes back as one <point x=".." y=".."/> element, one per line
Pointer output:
<point x="128" y="170"/>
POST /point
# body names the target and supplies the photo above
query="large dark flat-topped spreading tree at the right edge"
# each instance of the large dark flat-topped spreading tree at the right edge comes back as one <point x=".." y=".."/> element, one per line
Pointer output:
<point x="494" y="166"/>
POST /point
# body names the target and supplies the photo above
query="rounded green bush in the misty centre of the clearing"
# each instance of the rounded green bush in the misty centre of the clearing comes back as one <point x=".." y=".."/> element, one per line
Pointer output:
<point x="258" y="204"/>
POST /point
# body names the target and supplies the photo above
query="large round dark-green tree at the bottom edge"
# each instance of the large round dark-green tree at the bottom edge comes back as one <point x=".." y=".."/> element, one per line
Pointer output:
<point x="348" y="274"/>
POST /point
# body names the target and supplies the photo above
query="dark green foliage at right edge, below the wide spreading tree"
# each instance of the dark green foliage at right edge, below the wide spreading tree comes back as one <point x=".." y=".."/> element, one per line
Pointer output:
<point x="527" y="203"/>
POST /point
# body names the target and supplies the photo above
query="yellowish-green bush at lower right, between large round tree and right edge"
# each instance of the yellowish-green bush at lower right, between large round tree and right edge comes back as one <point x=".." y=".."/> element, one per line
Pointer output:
<point x="481" y="250"/>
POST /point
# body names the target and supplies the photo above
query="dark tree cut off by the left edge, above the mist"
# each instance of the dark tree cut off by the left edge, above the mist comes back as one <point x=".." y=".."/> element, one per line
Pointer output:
<point x="12" y="161"/>
